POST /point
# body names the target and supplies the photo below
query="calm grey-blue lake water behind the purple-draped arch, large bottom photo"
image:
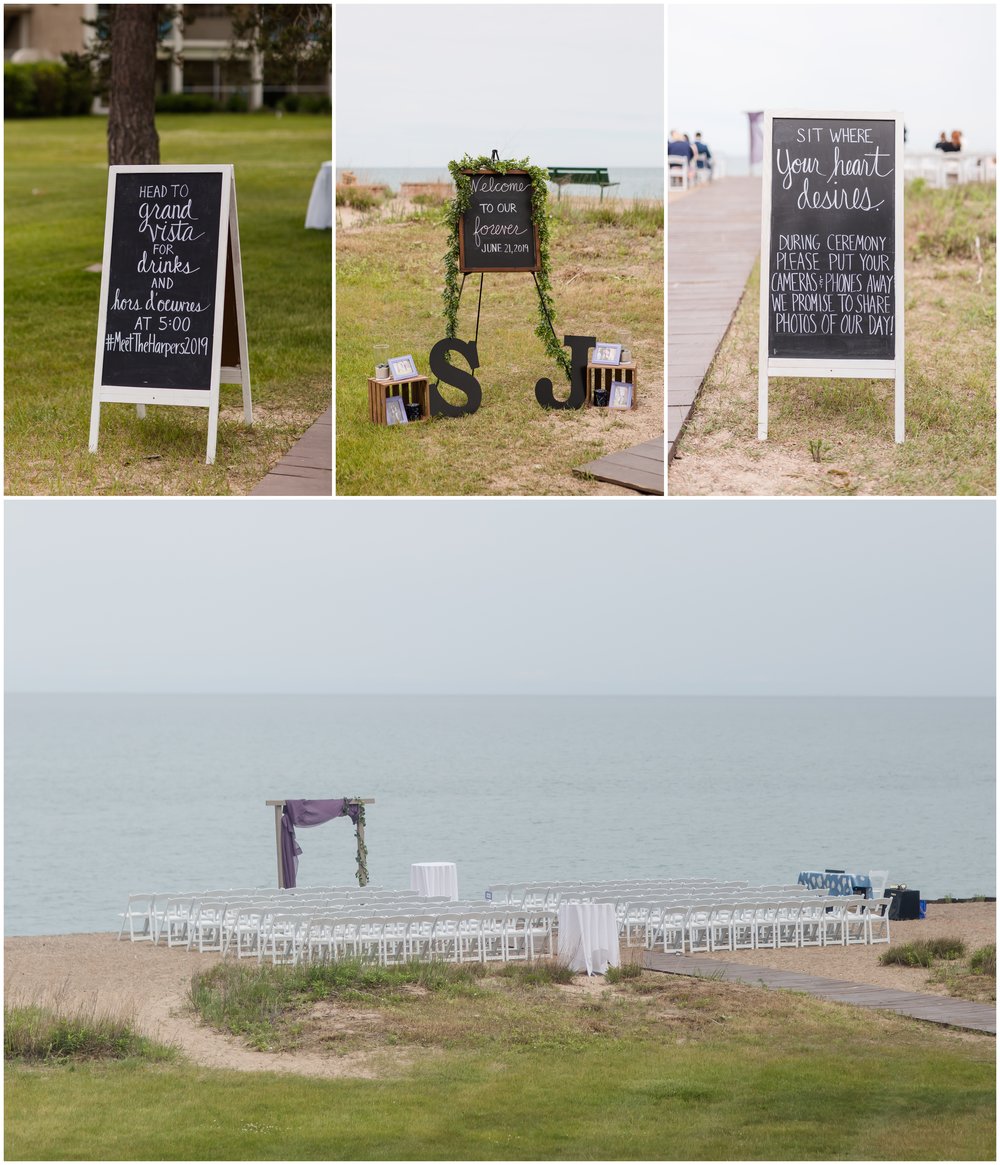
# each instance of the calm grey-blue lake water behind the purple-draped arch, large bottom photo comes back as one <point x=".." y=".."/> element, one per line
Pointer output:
<point x="110" y="795"/>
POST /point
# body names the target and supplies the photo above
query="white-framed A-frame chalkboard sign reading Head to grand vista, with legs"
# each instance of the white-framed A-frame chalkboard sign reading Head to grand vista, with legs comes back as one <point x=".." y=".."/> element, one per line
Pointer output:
<point x="172" y="324"/>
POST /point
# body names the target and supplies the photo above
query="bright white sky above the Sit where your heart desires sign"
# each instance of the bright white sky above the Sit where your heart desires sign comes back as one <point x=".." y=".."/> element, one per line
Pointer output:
<point x="935" y="63"/>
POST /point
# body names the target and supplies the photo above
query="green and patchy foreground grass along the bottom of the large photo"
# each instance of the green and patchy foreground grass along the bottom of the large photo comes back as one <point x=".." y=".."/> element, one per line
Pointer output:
<point x="666" y="1069"/>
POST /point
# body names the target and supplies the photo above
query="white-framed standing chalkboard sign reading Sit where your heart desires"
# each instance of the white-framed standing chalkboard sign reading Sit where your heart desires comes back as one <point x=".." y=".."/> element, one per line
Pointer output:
<point x="832" y="288"/>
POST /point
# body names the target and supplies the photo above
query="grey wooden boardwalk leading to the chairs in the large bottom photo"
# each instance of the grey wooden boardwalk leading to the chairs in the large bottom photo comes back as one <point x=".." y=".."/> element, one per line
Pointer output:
<point x="934" y="1008"/>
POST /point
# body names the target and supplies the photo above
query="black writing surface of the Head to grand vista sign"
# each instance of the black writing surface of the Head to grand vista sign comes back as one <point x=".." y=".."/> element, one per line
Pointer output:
<point x="163" y="280"/>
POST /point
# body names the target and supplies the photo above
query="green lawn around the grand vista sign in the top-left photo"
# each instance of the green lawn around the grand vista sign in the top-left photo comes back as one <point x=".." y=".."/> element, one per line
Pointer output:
<point x="57" y="190"/>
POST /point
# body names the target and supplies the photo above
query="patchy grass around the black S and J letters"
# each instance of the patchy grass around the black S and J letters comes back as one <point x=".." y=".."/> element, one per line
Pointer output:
<point x="608" y="283"/>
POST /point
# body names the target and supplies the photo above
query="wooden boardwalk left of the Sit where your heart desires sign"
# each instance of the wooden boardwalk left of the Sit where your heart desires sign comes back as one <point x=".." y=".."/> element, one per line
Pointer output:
<point x="713" y="241"/>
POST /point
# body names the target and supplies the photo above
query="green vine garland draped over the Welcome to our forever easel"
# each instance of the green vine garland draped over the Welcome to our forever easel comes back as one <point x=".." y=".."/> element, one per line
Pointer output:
<point x="461" y="204"/>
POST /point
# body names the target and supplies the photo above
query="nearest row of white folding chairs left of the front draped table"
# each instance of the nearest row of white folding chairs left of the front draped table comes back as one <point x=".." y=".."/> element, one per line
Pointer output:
<point x="453" y="936"/>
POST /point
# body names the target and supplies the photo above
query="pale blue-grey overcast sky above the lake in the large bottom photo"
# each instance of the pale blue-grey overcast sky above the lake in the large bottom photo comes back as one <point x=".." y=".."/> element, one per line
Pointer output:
<point x="520" y="597"/>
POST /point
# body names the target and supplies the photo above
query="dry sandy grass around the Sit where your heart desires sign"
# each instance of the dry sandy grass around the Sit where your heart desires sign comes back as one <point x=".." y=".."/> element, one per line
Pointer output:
<point x="835" y="437"/>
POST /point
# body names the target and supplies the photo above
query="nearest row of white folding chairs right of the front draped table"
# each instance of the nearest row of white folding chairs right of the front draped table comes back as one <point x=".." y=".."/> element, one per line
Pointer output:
<point x="769" y="924"/>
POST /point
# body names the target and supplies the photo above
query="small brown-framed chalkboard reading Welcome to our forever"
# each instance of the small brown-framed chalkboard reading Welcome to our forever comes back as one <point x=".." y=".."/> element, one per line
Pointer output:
<point x="497" y="232"/>
